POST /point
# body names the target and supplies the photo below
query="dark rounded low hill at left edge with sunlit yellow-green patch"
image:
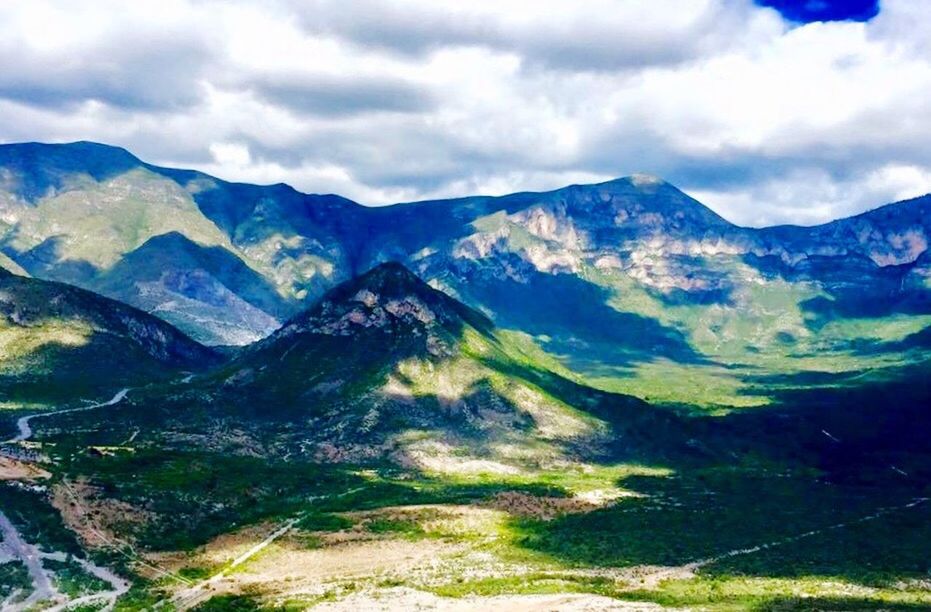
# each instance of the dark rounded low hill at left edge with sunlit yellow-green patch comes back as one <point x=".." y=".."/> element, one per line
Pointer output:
<point x="58" y="341"/>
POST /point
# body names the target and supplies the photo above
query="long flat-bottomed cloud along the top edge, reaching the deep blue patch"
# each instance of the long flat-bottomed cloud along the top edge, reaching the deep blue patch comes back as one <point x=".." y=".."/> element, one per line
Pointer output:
<point x="594" y="35"/>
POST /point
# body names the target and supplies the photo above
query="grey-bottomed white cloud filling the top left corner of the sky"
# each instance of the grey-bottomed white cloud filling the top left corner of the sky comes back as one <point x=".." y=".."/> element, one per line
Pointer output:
<point x="56" y="58"/>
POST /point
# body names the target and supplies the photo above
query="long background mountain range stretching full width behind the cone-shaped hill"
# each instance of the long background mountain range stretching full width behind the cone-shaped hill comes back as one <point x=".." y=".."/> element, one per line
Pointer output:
<point x="621" y="282"/>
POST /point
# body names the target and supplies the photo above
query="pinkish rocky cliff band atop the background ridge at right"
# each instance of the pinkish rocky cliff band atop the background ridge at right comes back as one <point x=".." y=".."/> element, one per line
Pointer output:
<point x="675" y="248"/>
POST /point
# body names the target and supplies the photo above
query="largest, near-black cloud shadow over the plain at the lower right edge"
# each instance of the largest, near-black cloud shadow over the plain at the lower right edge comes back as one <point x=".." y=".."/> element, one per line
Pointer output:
<point x="746" y="479"/>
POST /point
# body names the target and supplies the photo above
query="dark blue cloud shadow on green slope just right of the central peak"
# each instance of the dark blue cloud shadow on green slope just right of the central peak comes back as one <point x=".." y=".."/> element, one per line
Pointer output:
<point x="573" y="319"/>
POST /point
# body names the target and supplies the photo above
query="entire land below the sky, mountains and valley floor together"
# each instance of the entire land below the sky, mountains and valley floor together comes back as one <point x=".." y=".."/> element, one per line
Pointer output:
<point x="601" y="397"/>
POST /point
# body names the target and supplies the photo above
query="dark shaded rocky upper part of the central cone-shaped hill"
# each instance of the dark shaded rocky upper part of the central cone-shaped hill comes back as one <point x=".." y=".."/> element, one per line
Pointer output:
<point x="366" y="325"/>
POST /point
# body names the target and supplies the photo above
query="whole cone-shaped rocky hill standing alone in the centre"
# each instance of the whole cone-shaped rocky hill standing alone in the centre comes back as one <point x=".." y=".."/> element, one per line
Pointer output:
<point x="385" y="365"/>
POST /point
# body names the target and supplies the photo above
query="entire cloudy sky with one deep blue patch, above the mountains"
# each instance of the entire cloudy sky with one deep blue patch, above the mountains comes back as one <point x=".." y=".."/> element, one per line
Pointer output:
<point x="774" y="111"/>
